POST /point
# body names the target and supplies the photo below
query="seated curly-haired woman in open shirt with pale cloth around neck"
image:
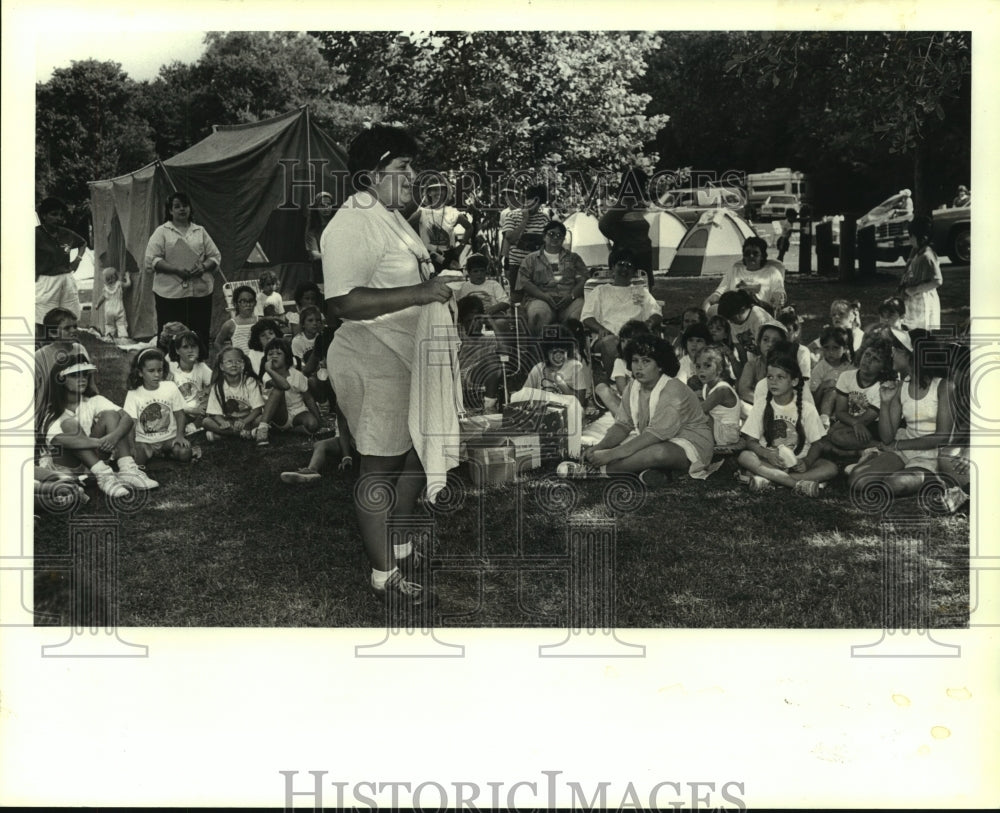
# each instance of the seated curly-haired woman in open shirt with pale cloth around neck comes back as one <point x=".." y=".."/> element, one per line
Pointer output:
<point x="659" y="428"/>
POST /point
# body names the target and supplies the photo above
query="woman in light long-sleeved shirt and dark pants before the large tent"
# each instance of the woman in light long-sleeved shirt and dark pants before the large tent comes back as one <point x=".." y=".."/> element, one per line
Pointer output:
<point x="182" y="257"/>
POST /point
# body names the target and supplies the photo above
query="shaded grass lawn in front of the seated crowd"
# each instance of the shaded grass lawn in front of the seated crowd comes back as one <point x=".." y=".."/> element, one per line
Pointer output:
<point x="223" y="543"/>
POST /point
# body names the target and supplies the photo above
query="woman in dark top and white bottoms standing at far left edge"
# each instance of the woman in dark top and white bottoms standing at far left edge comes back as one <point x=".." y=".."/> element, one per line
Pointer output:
<point x="55" y="286"/>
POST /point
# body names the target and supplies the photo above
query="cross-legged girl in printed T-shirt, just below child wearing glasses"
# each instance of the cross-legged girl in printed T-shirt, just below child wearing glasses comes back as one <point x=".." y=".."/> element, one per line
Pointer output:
<point x="235" y="401"/>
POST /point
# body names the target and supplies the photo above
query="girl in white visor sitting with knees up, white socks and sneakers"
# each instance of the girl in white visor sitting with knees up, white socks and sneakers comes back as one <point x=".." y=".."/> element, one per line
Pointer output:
<point x="83" y="428"/>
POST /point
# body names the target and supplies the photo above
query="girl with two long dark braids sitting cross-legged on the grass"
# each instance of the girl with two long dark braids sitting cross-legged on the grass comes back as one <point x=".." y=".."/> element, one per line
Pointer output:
<point x="780" y="432"/>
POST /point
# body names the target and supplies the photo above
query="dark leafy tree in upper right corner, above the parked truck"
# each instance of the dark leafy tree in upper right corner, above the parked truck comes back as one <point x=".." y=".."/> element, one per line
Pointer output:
<point x="882" y="94"/>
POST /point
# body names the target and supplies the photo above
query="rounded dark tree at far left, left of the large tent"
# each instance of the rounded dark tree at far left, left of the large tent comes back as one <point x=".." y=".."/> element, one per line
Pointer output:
<point x="87" y="126"/>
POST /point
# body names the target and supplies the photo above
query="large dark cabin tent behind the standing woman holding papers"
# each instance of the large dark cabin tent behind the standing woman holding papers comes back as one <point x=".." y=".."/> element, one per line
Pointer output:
<point x="248" y="183"/>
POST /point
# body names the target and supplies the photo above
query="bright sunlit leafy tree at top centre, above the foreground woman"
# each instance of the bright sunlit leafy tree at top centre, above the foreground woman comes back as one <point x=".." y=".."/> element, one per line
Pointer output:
<point x="539" y="101"/>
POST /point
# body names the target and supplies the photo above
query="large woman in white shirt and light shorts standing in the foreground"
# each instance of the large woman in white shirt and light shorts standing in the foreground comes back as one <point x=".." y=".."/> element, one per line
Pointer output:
<point x="376" y="274"/>
